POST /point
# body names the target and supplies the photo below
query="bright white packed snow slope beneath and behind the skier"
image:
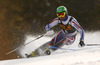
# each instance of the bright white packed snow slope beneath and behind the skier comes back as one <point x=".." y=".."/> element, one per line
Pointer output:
<point x="69" y="55"/>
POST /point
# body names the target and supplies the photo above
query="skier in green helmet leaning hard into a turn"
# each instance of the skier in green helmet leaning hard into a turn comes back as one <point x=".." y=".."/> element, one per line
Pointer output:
<point x="69" y="27"/>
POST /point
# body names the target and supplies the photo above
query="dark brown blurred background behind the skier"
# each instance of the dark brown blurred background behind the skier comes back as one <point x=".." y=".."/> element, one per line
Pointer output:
<point x="21" y="17"/>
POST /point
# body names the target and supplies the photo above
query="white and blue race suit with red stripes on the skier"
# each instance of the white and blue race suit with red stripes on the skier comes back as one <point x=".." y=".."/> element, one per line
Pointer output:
<point x="69" y="28"/>
